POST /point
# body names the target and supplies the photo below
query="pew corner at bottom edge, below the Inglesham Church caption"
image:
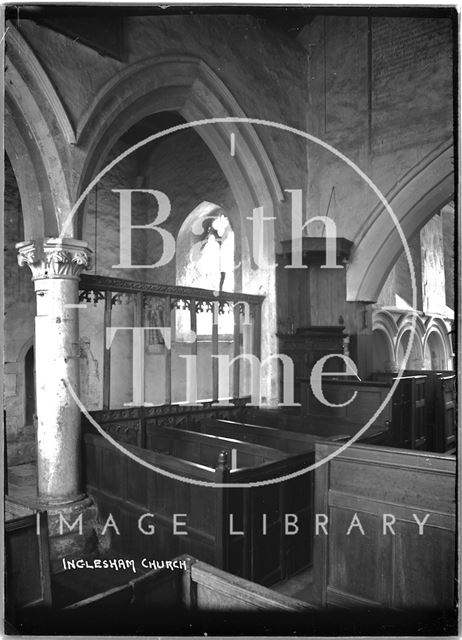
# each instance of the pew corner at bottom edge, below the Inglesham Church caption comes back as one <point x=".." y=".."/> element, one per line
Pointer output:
<point x="194" y="598"/>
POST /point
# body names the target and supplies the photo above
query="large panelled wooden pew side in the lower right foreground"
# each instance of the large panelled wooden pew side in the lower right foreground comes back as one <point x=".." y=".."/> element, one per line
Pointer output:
<point x="403" y="571"/>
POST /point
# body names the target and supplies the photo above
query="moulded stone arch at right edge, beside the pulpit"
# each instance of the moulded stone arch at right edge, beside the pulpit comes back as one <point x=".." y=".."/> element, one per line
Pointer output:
<point x="415" y="199"/>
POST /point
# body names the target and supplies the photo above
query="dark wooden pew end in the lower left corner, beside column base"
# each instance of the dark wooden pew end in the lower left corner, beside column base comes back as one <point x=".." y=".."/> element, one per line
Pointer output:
<point x="27" y="562"/>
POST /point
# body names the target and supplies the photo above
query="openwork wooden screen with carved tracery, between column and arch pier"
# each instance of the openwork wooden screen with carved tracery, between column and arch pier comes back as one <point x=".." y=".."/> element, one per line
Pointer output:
<point x="151" y="333"/>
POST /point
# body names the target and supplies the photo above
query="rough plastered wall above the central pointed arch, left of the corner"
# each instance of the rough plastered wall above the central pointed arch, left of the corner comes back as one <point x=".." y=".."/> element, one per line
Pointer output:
<point x="262" y="70"/>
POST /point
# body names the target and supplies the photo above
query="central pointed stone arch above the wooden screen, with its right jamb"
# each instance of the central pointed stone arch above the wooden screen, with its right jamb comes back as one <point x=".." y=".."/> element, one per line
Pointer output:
<point x="187" y="85"/>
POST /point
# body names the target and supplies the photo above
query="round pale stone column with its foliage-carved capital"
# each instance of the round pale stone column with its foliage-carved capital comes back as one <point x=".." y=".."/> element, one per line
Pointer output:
<point x="56" y="265"/>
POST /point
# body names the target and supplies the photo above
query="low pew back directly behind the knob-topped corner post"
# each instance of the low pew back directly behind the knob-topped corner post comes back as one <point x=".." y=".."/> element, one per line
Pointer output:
<point x="204" y="448"/>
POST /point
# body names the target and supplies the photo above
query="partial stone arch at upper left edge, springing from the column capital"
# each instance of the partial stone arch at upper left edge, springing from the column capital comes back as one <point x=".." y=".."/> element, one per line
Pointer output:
<point x="37" y="134"/>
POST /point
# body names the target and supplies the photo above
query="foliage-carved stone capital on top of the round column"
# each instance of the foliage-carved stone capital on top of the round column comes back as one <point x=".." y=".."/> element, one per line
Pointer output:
<point x="54" y="257"/>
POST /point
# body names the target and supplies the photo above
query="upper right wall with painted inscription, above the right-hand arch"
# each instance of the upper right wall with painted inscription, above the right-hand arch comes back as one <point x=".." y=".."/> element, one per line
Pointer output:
<point x="380" y="91"/>
